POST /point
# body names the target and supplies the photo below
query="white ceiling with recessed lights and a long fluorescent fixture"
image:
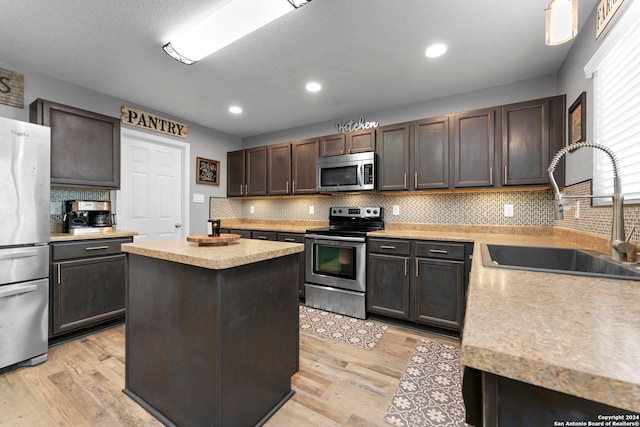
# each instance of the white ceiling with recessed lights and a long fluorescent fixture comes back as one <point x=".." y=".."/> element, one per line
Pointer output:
<point x="368" y="55"/>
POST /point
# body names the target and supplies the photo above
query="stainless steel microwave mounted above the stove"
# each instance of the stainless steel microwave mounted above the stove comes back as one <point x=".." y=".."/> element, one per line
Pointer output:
<point x="349" y="172"/>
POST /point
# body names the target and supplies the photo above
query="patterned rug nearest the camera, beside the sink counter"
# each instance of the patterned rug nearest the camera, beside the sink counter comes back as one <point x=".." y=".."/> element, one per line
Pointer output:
<point x="430" y="391"/>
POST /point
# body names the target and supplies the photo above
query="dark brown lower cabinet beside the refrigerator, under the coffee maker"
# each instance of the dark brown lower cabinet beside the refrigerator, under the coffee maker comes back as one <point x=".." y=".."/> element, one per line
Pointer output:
<point x="87" y="285"/>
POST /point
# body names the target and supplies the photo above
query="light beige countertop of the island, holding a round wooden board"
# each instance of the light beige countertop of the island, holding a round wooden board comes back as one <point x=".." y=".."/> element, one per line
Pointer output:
<point x="239" y="252"/>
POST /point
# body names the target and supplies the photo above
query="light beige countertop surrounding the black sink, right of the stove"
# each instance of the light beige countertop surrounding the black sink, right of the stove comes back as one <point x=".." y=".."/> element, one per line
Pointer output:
<point x="573" y="334"/>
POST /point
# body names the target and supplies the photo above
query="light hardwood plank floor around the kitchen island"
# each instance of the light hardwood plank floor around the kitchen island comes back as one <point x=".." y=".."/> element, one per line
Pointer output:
<point x="81" y="384"/>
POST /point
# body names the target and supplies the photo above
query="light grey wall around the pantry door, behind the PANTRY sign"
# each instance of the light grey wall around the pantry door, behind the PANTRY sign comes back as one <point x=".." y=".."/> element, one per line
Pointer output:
<point x="204" y="142"/>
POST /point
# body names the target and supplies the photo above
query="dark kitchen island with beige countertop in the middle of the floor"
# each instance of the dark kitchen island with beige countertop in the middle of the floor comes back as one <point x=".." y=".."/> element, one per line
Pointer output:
<point x="212" y="332"/>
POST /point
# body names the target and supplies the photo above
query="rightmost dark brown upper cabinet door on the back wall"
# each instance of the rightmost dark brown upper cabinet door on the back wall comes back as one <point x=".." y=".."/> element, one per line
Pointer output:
<point x="525" y="143"/>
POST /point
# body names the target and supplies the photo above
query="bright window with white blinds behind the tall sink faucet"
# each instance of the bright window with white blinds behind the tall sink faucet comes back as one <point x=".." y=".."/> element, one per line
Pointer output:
<point x="615" y="68"/>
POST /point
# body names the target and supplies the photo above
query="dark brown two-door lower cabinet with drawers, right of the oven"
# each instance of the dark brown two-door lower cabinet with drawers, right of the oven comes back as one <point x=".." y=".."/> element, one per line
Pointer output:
<point x="419" y="281"/>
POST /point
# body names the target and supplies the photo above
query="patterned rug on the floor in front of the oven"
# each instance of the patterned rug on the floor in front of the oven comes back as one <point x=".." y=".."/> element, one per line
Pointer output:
<point x="361" y="333"/>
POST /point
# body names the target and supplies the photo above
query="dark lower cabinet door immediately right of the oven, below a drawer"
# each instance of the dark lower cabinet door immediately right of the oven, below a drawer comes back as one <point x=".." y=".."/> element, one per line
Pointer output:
<point x="388" y="285"/>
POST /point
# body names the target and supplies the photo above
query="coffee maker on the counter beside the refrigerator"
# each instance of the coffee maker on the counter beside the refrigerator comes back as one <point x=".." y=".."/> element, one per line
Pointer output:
<point x="87" y="216"/>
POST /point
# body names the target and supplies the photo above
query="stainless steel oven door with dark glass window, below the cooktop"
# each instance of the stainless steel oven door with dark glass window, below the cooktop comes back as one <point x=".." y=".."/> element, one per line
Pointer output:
<point x="336" y="261"/>
